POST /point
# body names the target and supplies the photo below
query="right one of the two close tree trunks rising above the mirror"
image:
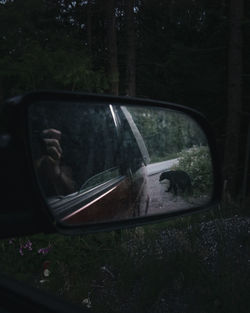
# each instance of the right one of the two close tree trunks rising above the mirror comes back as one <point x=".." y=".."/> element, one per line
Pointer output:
<point x="131" y="42"/>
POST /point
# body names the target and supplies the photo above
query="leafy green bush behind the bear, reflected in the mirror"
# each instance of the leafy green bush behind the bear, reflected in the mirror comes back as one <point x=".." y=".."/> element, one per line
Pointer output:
<point x="196" y="161"/>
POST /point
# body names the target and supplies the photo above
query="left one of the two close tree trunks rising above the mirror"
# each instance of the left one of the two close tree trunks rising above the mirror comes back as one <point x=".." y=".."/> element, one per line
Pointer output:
<point x="113" y="71"/>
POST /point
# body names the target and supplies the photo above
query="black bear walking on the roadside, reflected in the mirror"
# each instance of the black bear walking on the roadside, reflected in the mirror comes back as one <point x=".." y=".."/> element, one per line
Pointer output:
<point x="179" y="181"/>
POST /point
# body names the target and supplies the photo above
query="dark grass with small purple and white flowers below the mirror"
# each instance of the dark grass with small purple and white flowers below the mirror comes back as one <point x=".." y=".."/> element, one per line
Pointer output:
<point x="142" y="271"/>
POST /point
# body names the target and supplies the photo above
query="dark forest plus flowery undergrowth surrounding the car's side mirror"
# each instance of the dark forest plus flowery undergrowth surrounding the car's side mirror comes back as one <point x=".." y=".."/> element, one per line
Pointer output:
<point x="190" y="52"/>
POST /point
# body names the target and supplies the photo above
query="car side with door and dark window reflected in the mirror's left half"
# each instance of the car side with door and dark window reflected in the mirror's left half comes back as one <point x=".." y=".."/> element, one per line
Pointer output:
<point x="90" y="154"/>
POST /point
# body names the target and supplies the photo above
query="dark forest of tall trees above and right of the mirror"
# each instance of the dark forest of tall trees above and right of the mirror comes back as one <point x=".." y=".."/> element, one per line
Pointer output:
<point x="190" y="52"/>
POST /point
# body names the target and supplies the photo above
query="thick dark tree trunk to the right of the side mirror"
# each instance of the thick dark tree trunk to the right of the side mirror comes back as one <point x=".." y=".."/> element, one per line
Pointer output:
<point x="232" y="143"/>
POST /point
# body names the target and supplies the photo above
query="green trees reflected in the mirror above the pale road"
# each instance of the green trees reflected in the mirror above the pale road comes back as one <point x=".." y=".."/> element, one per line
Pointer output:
<point x="166" y="132"/>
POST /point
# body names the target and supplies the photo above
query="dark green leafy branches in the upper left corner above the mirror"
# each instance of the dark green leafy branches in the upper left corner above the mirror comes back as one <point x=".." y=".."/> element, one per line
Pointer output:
<point x="48" y="57"/>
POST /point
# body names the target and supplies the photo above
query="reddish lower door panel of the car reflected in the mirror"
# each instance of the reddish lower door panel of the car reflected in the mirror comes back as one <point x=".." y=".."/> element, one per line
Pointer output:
<point x="128" y="198"/>
